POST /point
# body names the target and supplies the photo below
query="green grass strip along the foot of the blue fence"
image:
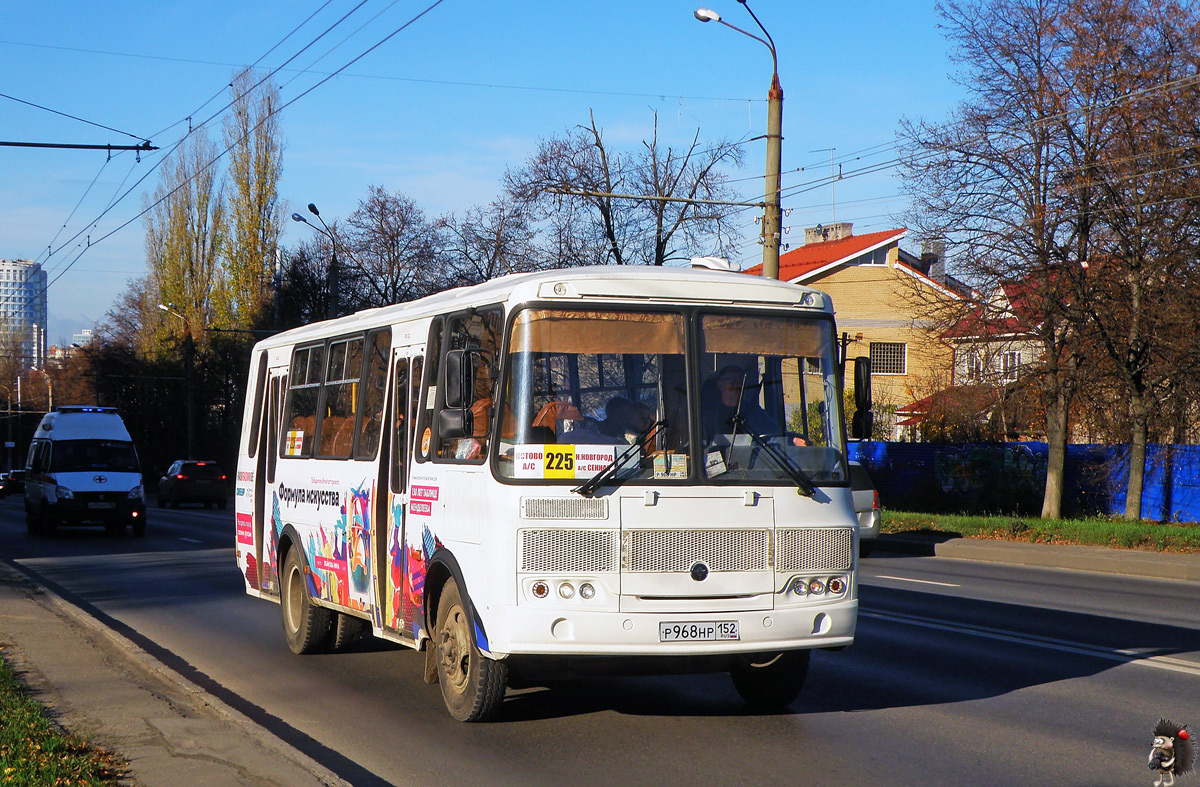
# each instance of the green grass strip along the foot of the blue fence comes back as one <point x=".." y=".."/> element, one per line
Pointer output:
<point x="1105" y="532"/>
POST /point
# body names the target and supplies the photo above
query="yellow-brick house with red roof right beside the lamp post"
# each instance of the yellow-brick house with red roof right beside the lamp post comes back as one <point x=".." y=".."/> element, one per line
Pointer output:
<point x="880" y="293"/>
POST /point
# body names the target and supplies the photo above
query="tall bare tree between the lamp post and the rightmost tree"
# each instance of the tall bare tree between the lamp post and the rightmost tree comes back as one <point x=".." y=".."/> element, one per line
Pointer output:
<point x="992" y="181"/>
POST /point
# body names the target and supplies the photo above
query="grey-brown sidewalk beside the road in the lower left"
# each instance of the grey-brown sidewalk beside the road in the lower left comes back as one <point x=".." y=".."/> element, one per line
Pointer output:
<point x="111" y="693"/>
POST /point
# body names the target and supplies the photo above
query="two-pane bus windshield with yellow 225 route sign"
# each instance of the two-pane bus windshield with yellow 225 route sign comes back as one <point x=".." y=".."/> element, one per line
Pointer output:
<point x="761" y="406"/>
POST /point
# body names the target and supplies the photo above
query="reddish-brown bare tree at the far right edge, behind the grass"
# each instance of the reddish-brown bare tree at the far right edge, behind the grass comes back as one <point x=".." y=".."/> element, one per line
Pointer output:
<point x="1144" y="280"/>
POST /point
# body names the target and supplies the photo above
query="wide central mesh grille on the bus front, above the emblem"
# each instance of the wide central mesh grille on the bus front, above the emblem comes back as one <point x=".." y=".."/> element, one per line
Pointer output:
<point x="677" y="551"/>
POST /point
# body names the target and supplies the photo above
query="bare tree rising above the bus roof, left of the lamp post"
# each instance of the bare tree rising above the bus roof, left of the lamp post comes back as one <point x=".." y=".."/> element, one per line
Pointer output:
<point x="592" y="226"/>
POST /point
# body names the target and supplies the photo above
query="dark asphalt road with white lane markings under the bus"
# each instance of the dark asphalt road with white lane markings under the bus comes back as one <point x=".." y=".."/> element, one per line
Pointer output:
<point x="962" y="674"/>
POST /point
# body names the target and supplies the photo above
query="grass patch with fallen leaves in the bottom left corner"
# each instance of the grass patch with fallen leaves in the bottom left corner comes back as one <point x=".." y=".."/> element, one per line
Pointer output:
<point x="37" y="753"/>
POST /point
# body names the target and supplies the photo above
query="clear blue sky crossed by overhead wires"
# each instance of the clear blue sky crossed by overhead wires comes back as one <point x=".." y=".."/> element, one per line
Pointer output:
<point x="437" y="104"/>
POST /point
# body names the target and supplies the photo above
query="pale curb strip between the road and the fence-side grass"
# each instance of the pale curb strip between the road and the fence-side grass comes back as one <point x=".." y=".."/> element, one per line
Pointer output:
<point x="1133" y="563"/>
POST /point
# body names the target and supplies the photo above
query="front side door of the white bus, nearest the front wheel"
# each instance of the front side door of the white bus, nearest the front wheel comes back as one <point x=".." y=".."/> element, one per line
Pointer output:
<point x="400" y="592"/>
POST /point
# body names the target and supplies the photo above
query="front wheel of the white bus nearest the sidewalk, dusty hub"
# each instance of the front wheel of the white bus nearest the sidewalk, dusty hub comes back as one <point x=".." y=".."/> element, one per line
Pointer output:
<point x="472" y="684"/>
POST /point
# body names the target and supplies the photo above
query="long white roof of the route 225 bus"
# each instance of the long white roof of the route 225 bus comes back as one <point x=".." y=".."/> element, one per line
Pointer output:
<point x="644" y="285"/>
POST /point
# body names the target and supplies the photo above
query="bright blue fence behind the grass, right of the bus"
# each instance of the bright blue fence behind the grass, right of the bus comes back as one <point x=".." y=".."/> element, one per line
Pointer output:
<point x="1010" y="478"/>
